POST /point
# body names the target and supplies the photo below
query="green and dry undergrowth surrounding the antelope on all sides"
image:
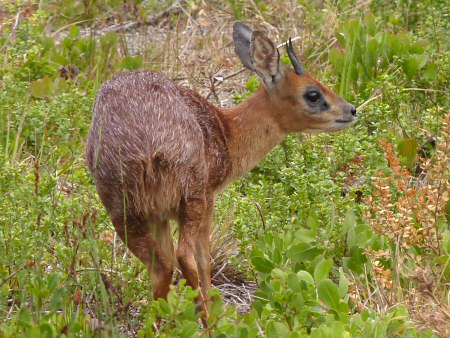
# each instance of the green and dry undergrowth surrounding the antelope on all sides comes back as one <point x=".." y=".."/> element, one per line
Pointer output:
<point x="342" y="234"/>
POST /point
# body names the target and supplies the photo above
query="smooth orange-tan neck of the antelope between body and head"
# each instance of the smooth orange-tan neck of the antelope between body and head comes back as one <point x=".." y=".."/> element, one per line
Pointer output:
<point x="253" y="131"/>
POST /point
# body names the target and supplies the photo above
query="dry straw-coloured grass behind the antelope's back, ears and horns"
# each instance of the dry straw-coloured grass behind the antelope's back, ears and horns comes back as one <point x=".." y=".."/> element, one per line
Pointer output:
<point x="192" y="44"/>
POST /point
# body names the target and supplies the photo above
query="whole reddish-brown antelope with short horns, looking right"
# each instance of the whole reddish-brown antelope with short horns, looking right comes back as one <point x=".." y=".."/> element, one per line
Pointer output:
<point x="159" y="152"/>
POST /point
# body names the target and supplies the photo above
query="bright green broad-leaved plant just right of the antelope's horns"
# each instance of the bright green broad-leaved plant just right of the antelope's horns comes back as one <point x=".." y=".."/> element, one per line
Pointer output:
<point x="368" y="52"/>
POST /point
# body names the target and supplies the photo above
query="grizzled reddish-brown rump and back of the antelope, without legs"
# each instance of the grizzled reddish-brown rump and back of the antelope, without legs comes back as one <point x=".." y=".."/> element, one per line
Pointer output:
<point x="147" y="144"/>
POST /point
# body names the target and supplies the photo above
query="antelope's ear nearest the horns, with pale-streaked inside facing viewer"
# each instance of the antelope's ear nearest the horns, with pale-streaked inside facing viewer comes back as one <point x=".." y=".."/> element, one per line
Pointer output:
<point x="264" y="58"/>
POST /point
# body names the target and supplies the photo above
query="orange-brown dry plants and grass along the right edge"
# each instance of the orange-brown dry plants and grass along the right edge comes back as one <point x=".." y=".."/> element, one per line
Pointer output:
<point x="408" y="212"/>
